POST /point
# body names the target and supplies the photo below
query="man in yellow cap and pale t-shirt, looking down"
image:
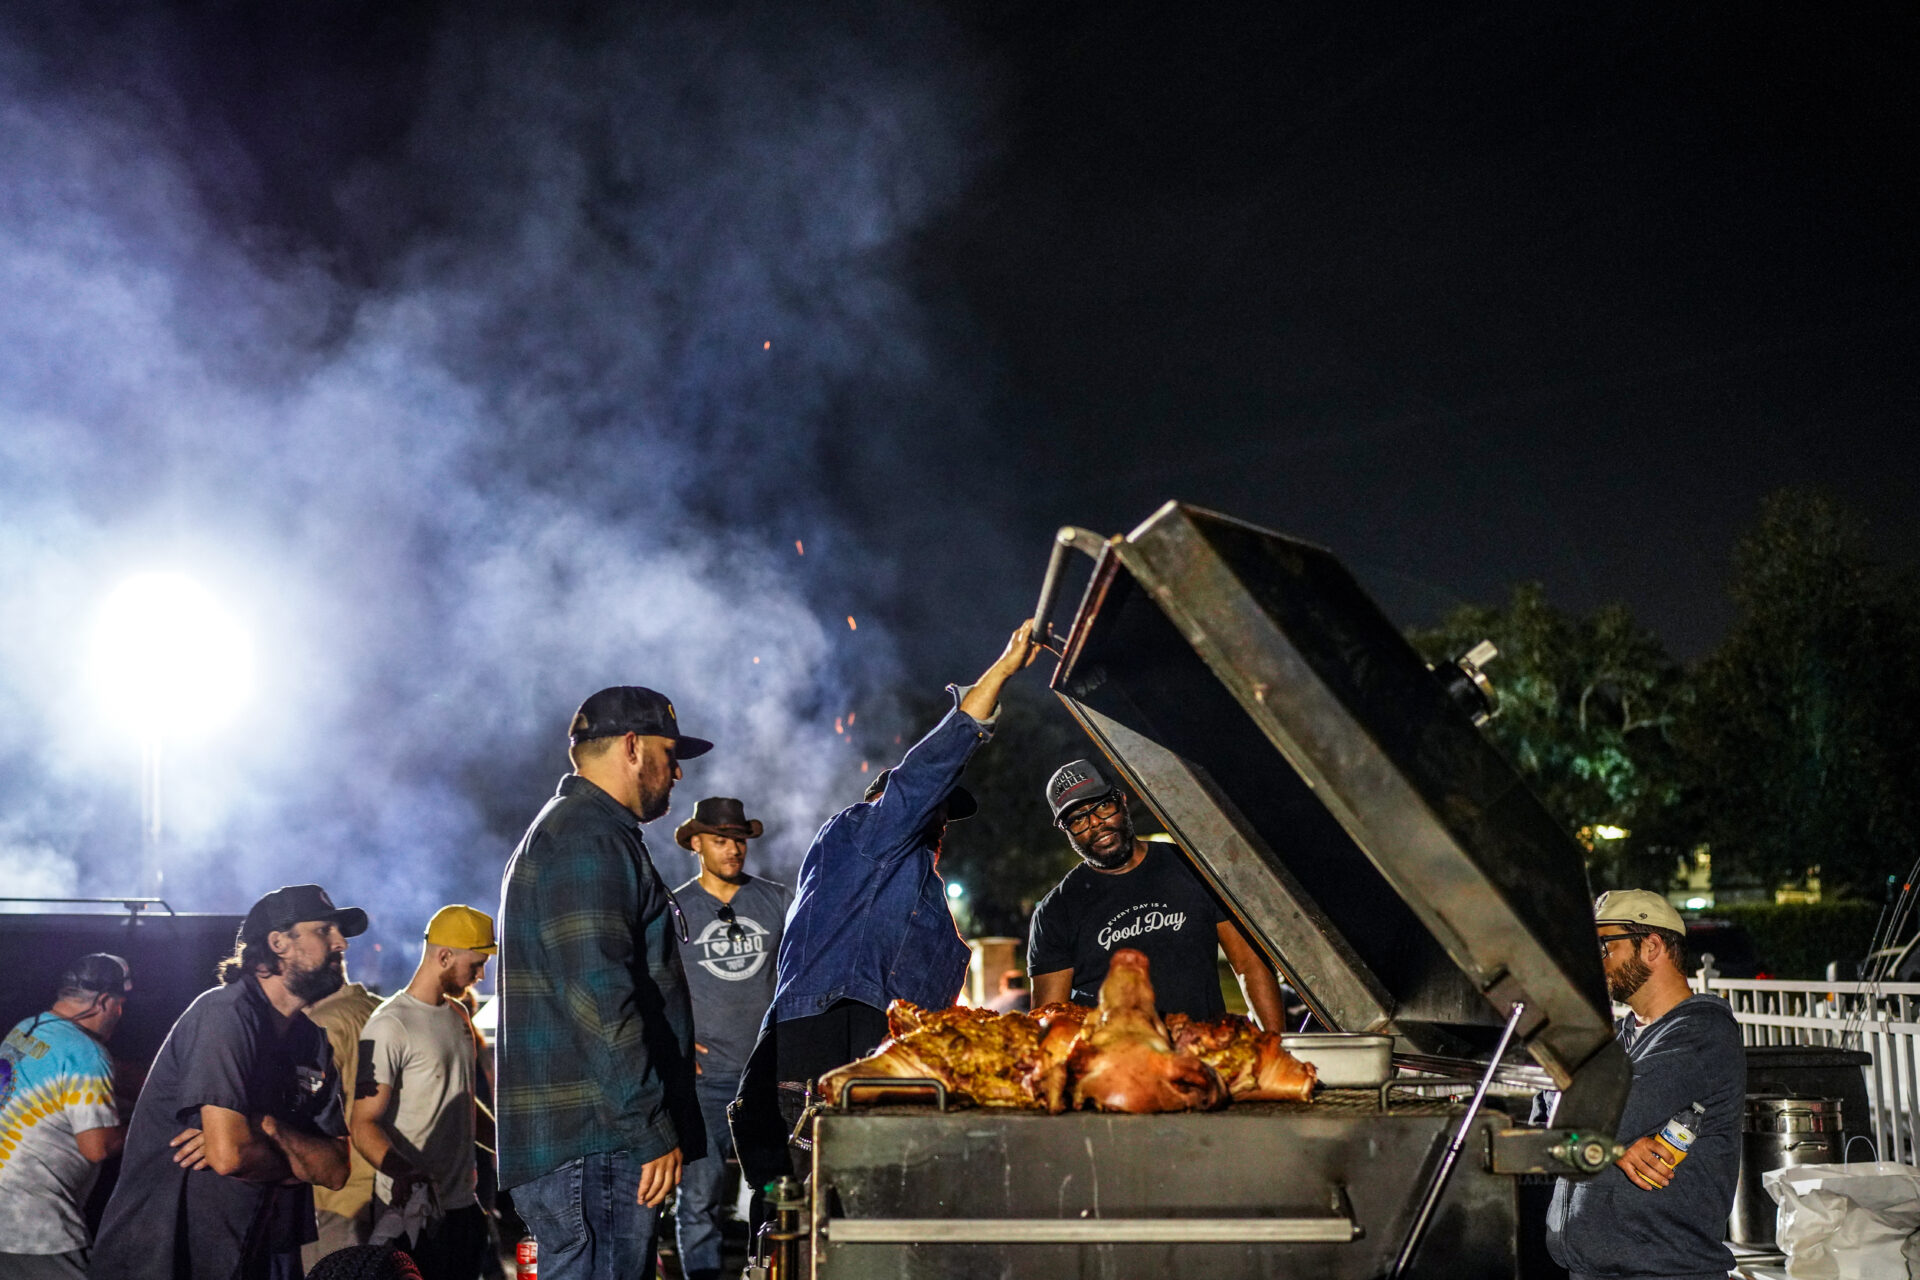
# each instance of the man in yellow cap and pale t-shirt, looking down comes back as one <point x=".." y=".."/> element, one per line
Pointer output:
<point x="414" y="1108"/>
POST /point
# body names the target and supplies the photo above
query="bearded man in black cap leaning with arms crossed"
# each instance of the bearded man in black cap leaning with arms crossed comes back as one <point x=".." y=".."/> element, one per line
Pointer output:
<point x="241" y="1114"/>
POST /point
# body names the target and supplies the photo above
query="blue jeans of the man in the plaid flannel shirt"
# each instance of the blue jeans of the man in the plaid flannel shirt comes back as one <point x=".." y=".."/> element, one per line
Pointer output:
<point x="588" y="1220"/>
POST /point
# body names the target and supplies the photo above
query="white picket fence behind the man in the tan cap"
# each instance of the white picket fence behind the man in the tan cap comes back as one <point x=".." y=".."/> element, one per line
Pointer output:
<point x="1881" y="1018"/>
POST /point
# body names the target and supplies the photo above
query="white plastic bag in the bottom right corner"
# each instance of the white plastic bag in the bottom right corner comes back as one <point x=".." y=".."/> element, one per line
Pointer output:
<point x="1848" y="1221"/>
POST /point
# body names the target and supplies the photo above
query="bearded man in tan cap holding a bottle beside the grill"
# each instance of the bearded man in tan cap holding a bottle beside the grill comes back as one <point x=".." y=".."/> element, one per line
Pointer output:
<point x="1644" y="1218"/>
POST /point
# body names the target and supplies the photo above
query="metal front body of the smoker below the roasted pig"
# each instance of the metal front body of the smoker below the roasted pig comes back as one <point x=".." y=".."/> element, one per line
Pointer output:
<point x="1305" y="1172"/>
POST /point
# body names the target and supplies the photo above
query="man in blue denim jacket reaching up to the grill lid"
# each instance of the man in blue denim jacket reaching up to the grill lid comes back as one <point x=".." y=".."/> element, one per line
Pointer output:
<point x="871" y="918"/>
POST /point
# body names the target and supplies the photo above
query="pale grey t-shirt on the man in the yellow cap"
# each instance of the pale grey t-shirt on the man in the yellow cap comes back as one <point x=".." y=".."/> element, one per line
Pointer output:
<point x="427" y="1055"/>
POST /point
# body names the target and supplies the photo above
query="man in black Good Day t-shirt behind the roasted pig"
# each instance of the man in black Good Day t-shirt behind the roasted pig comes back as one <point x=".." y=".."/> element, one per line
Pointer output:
<point x="1141" y="895"/>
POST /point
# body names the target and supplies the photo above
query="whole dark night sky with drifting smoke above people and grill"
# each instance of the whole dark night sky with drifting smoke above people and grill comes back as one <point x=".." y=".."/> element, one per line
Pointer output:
<point x="1466" y="295"/>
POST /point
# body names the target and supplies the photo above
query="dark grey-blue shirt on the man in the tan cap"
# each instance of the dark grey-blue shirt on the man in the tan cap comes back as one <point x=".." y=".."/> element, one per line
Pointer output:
<point x="1606" y="1225"/>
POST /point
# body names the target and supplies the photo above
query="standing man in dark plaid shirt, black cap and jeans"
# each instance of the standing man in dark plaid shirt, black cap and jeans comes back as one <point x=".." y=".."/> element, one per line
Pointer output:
<point x="594" y="1055"/>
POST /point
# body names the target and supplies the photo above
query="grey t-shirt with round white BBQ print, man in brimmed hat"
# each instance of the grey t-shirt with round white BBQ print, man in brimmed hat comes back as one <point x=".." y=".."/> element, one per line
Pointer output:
<point x="731" y="970"/>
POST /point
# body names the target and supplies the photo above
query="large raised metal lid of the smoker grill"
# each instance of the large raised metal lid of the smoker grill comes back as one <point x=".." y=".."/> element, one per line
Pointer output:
<point x="1339" y="799"/>
